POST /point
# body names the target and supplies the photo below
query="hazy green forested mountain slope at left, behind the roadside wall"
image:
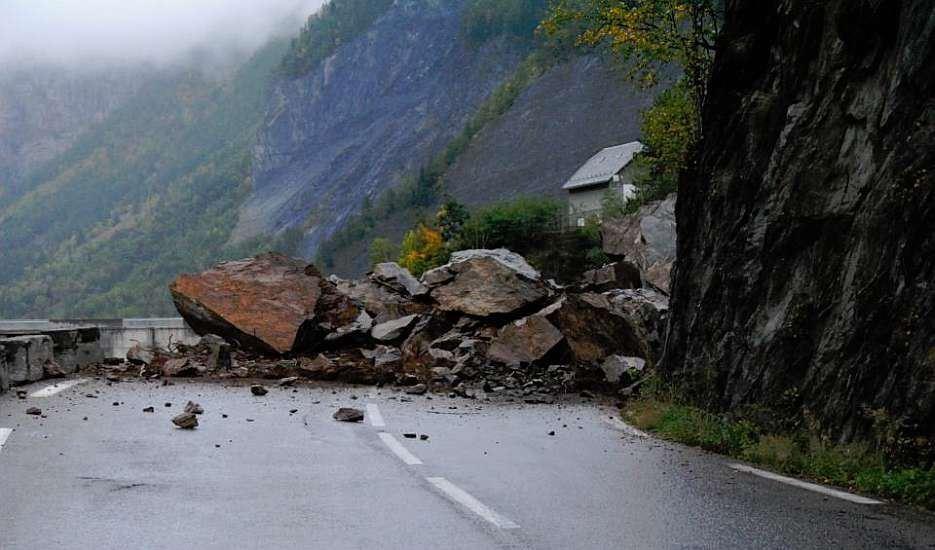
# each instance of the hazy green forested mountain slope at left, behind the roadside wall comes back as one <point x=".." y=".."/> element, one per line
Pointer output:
<point x="150" y="193"/>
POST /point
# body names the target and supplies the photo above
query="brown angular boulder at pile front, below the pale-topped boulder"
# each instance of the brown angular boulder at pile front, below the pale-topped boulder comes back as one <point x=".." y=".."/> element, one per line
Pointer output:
<point x="524" y="341"/>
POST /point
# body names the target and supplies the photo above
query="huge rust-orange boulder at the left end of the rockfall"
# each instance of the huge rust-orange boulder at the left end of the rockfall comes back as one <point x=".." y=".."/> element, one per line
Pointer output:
<point x="266" y="303"/>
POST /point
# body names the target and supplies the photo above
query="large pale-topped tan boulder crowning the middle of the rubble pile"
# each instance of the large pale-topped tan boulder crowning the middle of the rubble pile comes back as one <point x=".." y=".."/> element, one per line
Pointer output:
<point x="486" y="282"/>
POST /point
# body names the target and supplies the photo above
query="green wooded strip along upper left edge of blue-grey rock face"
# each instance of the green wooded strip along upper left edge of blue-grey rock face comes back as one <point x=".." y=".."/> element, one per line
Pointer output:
<point x="338" y="22"/>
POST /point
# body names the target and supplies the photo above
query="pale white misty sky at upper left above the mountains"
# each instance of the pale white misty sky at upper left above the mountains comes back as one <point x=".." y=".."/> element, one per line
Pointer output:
<point x="76" y="32"/>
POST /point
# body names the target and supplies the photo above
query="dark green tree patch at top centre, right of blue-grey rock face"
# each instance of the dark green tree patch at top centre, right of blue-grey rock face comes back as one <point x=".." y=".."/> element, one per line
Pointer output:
<point x="487" y="19"/>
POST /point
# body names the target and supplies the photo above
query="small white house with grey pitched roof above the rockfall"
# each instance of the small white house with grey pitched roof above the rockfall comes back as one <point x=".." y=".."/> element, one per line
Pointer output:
<point x="610" y="169"/>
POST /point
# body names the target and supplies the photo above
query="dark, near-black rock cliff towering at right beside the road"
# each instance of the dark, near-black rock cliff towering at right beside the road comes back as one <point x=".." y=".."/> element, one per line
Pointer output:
<point x="806" y="258"/>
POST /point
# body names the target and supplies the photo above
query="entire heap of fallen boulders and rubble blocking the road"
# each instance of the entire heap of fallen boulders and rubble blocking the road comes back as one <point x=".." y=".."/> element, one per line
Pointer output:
<point x="485" y="323"/>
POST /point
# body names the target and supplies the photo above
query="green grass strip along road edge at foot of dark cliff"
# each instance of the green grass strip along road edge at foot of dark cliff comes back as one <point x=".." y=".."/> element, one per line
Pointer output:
<point x="859" y="467"/>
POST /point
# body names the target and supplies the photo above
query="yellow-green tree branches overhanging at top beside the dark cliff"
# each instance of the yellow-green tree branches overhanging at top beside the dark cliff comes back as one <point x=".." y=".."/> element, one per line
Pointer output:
<point x="648" y="34"/>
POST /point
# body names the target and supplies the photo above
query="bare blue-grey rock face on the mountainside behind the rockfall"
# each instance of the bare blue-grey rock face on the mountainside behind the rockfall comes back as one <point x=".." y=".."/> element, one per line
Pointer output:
<point x="375" y="110"/>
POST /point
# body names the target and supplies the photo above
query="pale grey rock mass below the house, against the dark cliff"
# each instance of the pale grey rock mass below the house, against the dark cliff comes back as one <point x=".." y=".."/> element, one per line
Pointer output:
<point x="647" y="239"/>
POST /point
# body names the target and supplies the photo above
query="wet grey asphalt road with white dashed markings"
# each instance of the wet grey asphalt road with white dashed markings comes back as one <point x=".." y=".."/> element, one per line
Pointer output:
<point x="490" y="477"/>
